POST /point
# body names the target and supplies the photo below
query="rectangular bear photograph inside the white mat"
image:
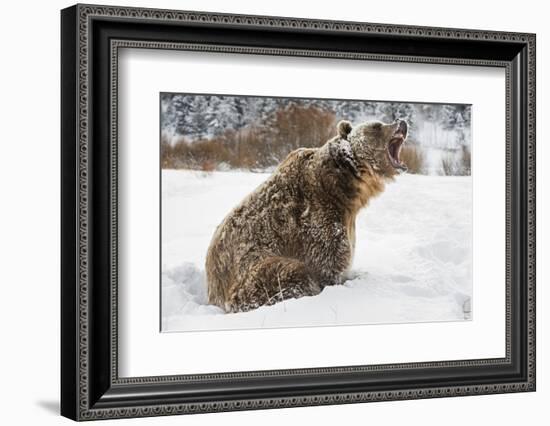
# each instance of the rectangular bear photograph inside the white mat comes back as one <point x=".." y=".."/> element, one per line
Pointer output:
<point x="300" y="212"/>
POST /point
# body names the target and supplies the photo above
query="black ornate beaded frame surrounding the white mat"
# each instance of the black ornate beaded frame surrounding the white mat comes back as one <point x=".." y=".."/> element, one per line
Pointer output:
<point x="91" y="37"/>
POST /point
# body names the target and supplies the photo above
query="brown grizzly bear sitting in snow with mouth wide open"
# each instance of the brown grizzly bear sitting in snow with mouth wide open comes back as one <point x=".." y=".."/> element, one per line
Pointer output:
<point x="295" y="234"/>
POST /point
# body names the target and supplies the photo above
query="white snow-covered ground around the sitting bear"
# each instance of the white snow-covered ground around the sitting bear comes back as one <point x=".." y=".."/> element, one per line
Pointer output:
<point x="413" y="257"/>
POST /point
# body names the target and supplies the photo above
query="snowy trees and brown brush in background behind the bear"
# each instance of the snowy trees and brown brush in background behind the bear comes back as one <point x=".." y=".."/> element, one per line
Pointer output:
<point x="218" y="132"/>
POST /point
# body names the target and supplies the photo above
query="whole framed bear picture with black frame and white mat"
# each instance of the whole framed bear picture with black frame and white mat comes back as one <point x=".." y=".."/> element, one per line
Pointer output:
<point x="263" y="212"/>
